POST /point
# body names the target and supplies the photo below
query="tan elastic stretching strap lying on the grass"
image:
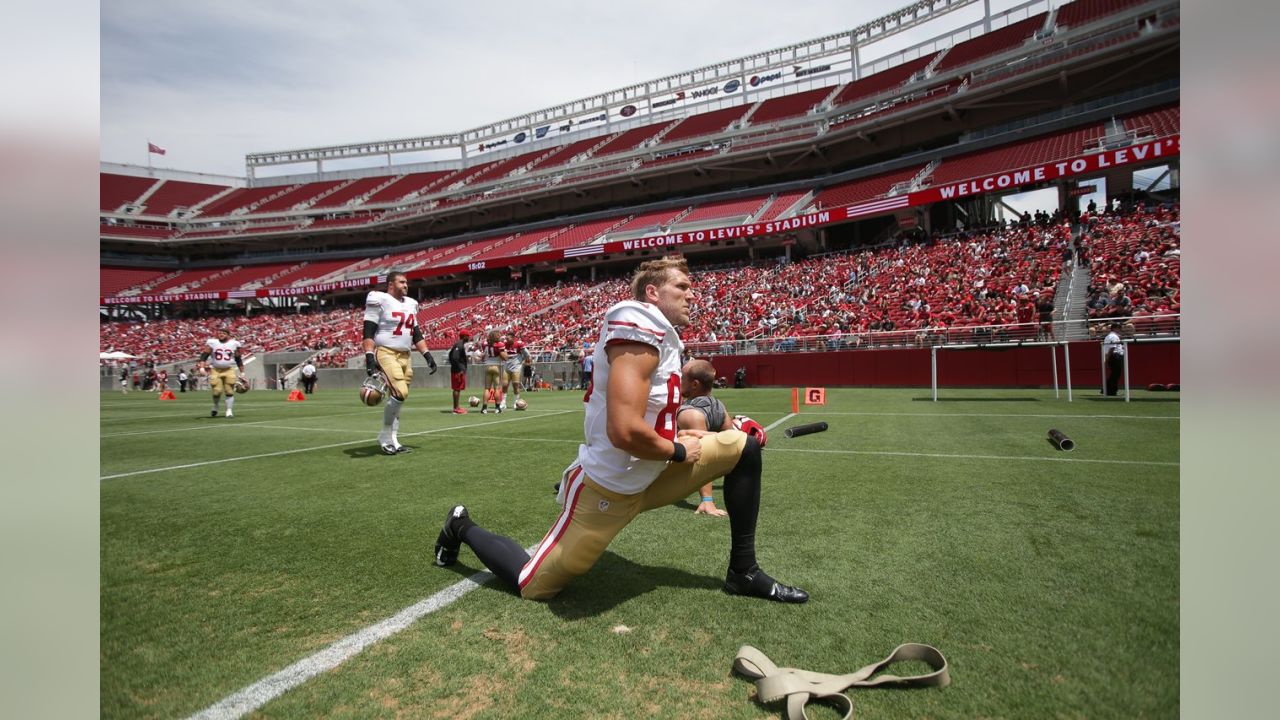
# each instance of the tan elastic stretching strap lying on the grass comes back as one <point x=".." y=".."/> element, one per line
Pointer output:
<point x="801" y="687"/>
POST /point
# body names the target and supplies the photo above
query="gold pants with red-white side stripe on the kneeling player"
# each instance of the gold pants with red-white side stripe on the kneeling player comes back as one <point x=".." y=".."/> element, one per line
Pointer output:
<point x="593" y="516"/>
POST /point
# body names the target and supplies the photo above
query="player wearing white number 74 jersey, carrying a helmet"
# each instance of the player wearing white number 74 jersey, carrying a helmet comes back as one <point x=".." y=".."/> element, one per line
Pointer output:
<point x="391" y="331"/>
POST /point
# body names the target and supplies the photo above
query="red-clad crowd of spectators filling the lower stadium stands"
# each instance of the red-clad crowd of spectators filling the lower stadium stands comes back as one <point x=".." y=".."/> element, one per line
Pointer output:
<point x="996" y="282"/>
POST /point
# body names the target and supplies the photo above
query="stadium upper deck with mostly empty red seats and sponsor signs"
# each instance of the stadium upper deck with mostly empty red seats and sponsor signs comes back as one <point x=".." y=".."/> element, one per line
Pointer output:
<point x="834" y="130"/>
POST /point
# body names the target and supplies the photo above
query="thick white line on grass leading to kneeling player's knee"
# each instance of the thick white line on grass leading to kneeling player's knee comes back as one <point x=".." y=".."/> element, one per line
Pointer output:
<point x="250" y="699"/>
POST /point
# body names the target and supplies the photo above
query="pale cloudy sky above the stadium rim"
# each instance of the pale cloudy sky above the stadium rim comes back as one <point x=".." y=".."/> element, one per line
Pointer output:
<point x="214" y="81"/>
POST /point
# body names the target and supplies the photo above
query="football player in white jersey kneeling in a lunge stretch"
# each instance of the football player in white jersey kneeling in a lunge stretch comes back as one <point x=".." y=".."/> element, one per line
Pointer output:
<point x="633" y="458"/>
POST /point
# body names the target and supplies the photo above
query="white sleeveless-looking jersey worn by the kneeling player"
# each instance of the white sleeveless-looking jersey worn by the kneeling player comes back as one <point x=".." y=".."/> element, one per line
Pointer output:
<point x="612" y="468"/>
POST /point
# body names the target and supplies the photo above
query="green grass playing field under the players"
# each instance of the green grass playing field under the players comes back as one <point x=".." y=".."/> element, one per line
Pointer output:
<point x="235" y="549"/>
